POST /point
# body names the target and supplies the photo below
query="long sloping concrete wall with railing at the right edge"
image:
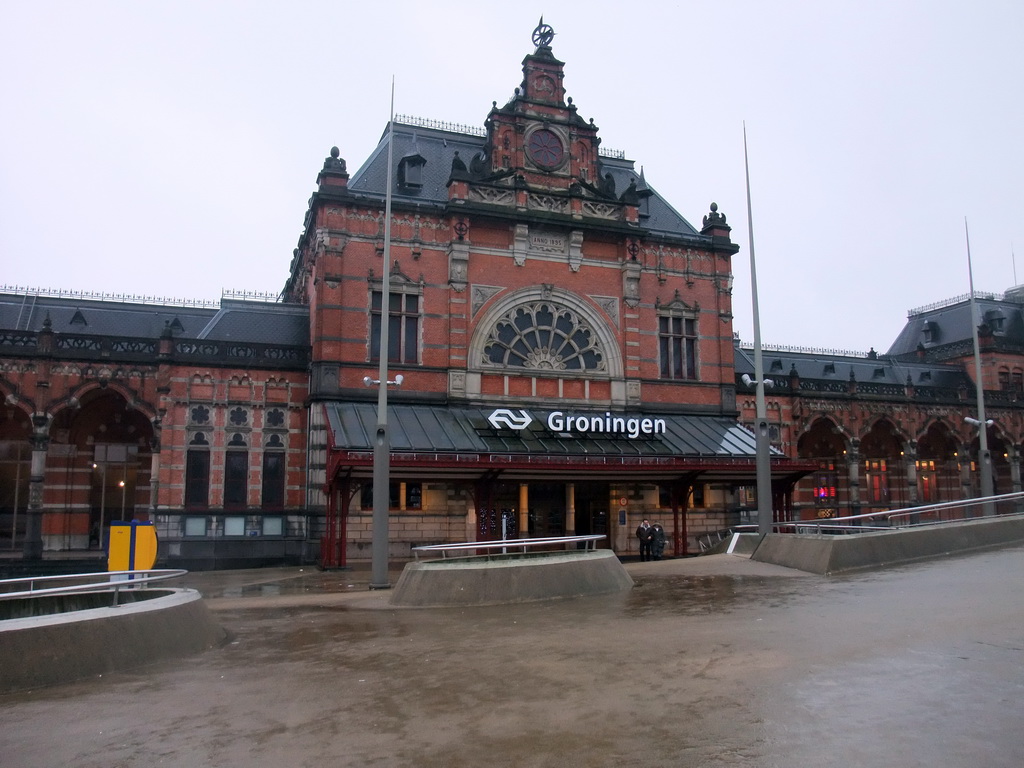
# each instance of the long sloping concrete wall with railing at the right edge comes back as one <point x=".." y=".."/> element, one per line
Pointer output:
<point x="835" y="554"/>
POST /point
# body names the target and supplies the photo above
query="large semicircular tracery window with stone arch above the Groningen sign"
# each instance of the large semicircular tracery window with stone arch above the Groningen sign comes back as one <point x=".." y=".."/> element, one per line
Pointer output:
<point x="546" y="329"/>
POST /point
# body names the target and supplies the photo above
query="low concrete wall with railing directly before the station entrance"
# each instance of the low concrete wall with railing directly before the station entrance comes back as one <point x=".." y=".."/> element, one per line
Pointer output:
<point x="480" y="582"/>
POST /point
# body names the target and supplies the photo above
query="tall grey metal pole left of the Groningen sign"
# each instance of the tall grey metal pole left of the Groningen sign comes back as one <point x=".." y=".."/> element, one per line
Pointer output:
<point x="382" y="447"/>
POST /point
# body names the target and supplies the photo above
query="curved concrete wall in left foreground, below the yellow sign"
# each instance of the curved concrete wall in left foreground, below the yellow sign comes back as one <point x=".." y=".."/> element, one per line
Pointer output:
<point x="59" y="649"/>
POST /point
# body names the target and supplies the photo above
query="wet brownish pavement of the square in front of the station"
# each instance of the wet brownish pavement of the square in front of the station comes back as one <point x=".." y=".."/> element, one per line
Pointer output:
<point x="707" y="662"/>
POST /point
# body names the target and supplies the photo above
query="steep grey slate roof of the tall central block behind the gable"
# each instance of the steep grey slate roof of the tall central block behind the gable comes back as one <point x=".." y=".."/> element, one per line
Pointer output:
<point x="439" y="147"/>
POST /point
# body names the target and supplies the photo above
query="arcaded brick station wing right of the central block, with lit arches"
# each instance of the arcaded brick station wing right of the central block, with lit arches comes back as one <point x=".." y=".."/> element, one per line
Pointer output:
<point x="901" y="430"/>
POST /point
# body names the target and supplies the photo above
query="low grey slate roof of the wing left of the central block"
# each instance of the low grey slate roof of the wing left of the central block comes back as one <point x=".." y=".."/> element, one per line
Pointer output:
<point x="254" y="322"/>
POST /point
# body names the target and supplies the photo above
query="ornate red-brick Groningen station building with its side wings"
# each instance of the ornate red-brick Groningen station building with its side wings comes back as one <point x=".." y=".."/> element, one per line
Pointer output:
<point x="565" y="344"/>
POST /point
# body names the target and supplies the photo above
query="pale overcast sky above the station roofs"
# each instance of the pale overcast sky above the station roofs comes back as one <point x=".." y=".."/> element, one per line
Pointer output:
<point x="169" y="149"/>
